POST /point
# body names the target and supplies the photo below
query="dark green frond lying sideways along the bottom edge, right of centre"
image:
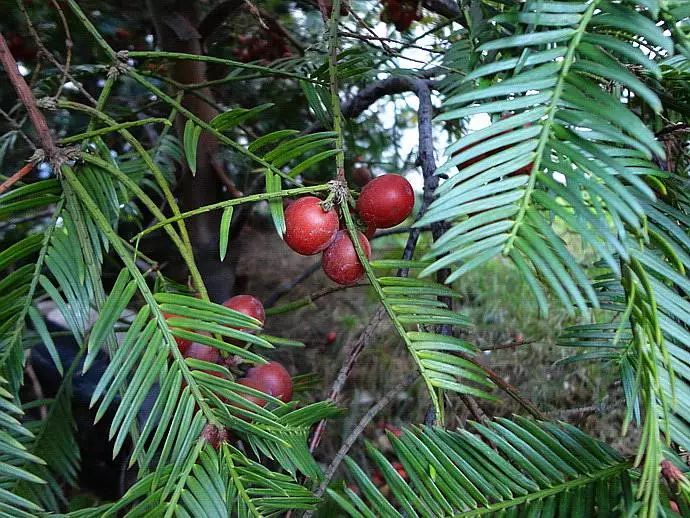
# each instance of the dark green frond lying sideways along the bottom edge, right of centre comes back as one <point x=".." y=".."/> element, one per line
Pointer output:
<point x="502" y="468"/>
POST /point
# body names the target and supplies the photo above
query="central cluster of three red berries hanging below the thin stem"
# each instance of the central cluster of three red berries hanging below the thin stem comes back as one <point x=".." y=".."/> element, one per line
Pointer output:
<point x="384" y="202"/>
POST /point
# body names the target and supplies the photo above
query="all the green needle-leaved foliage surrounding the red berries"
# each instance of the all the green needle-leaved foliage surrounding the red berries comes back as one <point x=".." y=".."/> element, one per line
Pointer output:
<point x="581" y="96"/>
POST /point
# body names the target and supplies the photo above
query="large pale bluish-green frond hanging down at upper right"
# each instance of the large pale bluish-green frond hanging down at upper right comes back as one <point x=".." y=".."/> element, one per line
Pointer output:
<point x="568" y="149"/>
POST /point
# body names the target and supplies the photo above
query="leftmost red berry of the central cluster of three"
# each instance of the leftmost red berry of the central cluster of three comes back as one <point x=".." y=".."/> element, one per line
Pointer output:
<point x="308" y="228"/>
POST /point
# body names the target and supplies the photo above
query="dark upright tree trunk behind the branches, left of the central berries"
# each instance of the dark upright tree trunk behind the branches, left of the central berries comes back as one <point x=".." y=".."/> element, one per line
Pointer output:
<point x="176" y="23"/>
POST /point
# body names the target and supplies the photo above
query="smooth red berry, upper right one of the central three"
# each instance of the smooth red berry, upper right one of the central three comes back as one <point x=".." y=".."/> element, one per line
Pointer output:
<point x="386" y="201"/>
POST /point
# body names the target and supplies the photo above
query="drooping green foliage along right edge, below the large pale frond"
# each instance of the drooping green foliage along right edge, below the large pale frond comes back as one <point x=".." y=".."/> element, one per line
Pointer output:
<point x="647" y="343"/>
